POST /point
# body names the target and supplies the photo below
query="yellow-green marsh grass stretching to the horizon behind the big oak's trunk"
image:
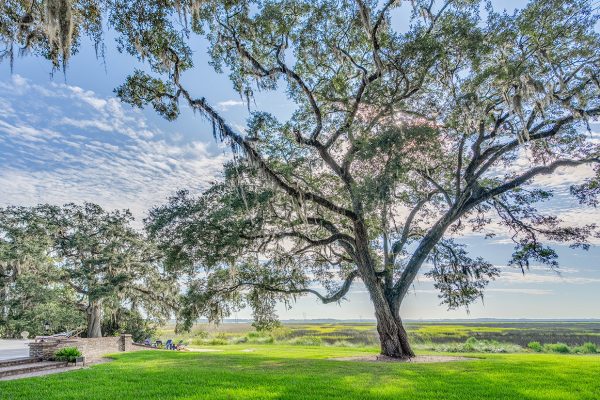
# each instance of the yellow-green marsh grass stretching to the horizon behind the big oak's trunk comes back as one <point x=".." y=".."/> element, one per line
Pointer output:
<point x="505" y="337"/>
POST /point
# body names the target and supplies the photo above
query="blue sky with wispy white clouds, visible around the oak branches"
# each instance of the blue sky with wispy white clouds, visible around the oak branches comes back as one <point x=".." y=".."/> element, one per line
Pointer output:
<point x="68" y="139"/>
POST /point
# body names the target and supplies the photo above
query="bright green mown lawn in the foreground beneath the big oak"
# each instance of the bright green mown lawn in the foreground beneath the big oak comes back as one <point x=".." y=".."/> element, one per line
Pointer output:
<point x="294" y="372"/>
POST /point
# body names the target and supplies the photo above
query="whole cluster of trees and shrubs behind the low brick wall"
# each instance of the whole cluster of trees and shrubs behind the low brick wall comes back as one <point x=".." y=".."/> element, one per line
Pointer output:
<point x="80" y="268"/>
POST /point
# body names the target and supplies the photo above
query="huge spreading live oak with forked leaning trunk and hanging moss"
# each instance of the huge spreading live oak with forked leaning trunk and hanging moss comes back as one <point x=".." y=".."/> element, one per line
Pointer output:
<point x="401" y="138"/>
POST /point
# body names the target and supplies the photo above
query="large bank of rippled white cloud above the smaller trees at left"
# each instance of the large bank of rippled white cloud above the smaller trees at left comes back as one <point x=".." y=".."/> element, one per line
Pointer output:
<point x="68" y="144"/>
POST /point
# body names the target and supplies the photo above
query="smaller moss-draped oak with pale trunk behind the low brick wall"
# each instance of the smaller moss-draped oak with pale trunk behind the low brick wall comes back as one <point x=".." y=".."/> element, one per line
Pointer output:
<point x="94" y="259"/>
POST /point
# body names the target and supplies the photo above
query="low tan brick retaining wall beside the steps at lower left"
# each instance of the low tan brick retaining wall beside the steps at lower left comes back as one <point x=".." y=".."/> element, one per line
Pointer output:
<point x="45" y="347"/>
